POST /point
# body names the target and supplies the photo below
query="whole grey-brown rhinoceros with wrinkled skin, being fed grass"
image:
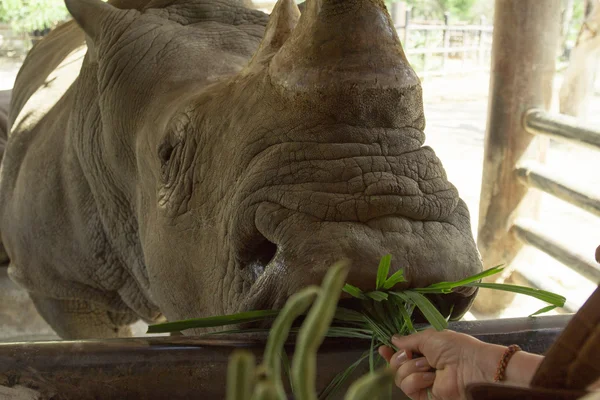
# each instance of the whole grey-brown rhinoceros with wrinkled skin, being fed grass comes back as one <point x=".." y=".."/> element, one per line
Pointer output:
<point x="186" y="158"/>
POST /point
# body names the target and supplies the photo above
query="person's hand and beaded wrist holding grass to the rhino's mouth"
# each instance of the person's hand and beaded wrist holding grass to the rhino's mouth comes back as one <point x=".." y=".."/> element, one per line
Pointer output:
<point x="450" y="362"/>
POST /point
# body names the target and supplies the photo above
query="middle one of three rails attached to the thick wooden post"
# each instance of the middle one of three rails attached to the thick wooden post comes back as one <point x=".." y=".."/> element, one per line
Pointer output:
<point x="535" y="175"/>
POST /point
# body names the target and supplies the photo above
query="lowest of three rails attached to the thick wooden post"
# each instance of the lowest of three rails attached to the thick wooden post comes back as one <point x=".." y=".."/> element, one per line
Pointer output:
<point x="531" y="233"/>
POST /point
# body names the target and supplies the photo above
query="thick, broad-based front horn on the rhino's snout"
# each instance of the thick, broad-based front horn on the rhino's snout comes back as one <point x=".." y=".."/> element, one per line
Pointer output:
<point x="343" y="41"/>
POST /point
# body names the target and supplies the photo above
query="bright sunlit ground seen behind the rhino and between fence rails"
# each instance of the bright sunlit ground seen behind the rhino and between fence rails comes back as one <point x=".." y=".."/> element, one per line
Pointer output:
<point x="456" y="111"/>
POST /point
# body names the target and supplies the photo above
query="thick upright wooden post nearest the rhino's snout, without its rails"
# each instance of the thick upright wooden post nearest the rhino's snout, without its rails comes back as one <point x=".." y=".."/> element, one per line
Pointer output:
<point x="526" y="38"/>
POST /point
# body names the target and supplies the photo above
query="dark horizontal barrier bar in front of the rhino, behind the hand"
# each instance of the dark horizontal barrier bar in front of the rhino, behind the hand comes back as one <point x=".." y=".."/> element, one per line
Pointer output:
<point x="189" y="368"/>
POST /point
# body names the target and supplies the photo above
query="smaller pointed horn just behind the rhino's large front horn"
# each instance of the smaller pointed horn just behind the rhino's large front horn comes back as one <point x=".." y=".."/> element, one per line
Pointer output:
<point x="282" y="22"/>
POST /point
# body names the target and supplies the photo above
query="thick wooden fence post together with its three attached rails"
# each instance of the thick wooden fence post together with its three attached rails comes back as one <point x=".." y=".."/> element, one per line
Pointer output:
<point x="523" y="67"/>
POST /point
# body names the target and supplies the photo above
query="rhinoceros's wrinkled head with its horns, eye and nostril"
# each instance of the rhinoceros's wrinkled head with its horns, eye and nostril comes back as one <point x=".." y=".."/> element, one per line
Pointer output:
<point x="252" y="158"/>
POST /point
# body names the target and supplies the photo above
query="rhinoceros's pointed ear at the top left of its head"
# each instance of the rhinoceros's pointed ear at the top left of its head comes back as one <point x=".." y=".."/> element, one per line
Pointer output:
<point x="90" y="14"/>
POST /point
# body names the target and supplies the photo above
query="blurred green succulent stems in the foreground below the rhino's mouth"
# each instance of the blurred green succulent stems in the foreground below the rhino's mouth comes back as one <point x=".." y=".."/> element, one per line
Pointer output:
<point x="246" y="381"/>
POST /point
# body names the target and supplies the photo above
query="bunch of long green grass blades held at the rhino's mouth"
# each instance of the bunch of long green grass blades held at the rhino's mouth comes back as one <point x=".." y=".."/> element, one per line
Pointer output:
<point x="381" y="314"/>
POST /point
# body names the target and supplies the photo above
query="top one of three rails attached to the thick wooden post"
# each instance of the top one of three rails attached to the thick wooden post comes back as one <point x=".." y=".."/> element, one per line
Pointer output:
<point x="561" y="127"/>
